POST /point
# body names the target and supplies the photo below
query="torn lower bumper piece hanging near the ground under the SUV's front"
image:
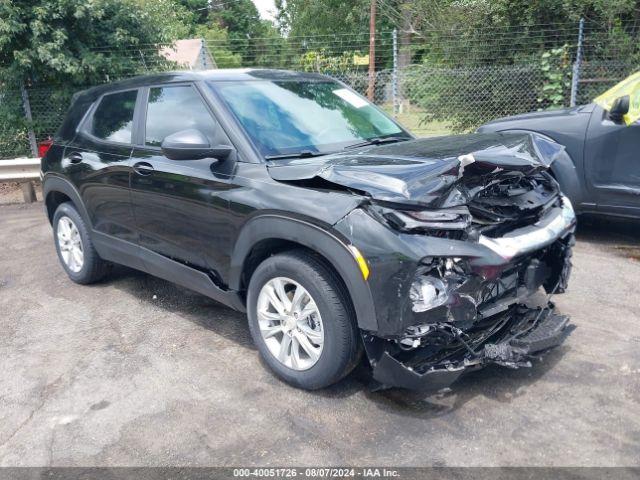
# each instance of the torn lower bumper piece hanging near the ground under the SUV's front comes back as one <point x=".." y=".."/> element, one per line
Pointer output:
<point x="440" y="353"/>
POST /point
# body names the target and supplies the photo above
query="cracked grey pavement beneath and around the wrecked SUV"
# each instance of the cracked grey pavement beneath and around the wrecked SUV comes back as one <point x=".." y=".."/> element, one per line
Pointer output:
<point x="135" y="371"/>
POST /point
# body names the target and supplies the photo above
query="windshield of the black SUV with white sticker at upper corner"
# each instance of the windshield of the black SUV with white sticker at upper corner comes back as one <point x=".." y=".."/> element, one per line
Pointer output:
<point x="286" y="117"/>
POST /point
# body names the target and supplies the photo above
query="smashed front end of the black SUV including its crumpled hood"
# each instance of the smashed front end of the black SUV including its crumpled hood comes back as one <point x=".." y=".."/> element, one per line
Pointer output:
<point x="460" y="235"/>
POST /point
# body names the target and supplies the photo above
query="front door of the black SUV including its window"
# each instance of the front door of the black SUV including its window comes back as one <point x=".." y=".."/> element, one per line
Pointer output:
<point x="180" y="207"/>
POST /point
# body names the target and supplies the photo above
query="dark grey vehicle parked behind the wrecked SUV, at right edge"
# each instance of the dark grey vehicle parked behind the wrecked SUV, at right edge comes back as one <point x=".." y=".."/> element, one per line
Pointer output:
<point x="601" y="173"/>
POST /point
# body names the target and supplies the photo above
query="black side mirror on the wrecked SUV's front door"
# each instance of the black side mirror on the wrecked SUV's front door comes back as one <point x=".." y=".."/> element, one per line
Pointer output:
<point x="192" y="144"/>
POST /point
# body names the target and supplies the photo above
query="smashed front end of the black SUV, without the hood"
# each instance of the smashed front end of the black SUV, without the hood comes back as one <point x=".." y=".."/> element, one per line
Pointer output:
<point x="462" y="288"/>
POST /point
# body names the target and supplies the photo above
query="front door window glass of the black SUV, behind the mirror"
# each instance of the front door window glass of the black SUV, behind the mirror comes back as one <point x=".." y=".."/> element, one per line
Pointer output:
<point x="176" y="108"/>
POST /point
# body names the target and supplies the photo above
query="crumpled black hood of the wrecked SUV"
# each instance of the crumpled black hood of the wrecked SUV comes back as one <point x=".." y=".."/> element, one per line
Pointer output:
<point x="427" y="171"/>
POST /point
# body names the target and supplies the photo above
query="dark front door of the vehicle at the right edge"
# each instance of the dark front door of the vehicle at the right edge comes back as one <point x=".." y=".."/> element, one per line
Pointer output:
<point x="612" y="164"/>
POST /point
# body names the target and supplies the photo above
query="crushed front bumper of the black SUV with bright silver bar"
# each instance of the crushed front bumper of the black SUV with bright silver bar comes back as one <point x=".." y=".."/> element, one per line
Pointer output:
<point x="475" y="303"/>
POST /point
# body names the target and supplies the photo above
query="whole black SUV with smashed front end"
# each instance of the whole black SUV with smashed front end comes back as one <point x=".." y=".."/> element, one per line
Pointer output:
<point x="290" y="196"/>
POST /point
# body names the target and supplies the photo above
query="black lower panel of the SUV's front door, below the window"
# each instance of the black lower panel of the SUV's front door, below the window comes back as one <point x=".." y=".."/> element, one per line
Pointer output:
<point x="180" y="209"/>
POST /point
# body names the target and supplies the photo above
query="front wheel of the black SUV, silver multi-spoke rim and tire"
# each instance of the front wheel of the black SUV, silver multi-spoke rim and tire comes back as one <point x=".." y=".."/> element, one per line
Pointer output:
<point x="301" y="320"/>
